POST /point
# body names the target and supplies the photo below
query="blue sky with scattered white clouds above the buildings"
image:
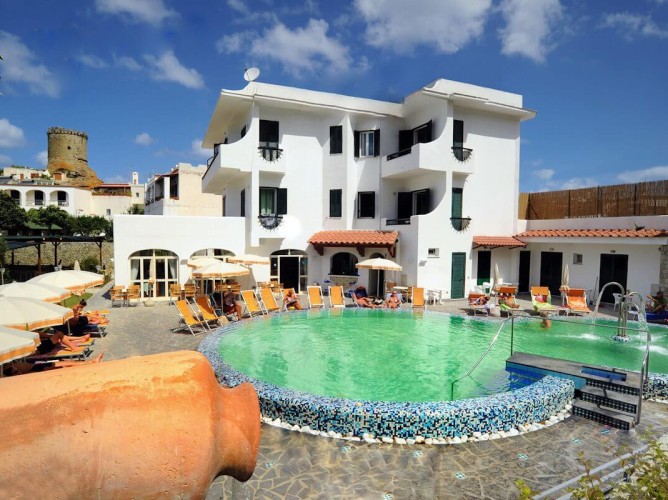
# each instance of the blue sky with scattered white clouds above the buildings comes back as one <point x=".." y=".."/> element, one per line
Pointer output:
<point x="141" y="77"/>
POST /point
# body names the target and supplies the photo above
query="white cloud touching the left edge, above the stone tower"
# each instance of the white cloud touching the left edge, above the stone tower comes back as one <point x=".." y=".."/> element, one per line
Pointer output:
<point x="20" y="65"/>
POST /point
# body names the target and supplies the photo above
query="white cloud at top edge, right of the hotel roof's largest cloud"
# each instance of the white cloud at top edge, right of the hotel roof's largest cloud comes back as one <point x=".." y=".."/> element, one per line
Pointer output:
<point x="529" y="25"/>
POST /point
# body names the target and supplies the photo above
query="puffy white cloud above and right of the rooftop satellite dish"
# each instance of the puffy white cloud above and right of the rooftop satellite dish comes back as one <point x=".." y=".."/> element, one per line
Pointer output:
<point x="305" y="50"/>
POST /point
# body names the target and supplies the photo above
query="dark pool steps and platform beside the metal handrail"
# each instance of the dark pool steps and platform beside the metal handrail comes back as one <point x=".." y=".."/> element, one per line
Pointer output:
<point x="604" y="395"/>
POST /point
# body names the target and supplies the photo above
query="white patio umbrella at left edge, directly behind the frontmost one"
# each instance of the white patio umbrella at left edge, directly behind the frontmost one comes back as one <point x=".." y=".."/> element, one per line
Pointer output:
<point x="29" y="314"/>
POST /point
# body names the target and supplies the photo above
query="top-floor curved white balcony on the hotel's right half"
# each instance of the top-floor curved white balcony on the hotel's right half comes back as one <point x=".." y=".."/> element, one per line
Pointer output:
<point x="420" y="158"/>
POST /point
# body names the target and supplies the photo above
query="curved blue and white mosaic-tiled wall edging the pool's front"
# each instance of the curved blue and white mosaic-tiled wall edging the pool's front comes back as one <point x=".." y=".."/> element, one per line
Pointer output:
<point x="338" y="417"/>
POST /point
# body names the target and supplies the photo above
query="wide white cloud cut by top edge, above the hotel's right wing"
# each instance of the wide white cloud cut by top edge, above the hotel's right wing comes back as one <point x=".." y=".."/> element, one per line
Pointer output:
<point x="447" y="25"/>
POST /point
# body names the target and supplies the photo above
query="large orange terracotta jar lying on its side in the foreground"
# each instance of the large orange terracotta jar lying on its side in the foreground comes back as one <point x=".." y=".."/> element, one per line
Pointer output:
<point x="142" y="427"/>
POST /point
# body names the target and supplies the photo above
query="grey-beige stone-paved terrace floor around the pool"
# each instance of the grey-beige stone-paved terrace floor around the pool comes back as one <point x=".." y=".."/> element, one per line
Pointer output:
<point x="293" y="465"/>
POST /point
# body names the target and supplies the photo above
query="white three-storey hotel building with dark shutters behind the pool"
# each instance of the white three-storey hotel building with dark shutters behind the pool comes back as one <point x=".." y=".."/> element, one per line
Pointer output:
<point x="320" y="181"/>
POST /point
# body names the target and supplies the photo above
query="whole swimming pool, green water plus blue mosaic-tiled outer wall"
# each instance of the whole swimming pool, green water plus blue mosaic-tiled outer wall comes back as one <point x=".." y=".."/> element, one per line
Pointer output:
<point x="376" y="372"/>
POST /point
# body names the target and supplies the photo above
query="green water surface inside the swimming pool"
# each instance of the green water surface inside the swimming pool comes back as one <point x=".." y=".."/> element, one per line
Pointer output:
<point x="397" y="356"/>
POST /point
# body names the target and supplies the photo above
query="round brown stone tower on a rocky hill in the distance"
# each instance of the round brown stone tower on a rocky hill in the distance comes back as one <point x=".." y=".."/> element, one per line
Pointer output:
<point x="68" y="156"/>
